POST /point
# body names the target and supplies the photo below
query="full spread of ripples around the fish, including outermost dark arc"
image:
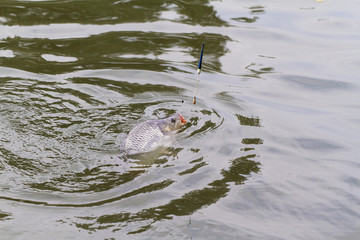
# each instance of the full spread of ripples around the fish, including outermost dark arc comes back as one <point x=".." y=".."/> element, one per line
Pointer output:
<point x="71" y="159"/>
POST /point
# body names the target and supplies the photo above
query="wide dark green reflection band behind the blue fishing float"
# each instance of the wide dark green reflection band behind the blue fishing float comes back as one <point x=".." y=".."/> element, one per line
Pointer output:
<point x="123" y="50"/>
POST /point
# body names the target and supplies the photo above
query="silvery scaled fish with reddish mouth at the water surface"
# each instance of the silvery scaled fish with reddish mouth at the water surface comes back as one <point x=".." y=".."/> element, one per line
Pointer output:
<point x="147" y="135"/>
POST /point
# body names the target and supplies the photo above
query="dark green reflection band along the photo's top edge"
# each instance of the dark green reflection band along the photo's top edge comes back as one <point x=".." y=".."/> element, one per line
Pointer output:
<point x="107" y="12"/>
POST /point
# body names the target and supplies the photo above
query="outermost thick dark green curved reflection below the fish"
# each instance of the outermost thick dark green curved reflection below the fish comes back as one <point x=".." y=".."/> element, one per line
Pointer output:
<point x="185" y="205"/>
